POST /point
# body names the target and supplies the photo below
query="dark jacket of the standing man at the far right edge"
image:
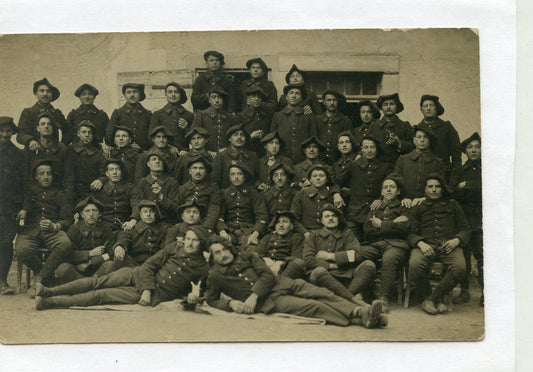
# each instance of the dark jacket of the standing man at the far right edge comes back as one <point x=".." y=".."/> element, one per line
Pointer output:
<point x="470" y="197"/>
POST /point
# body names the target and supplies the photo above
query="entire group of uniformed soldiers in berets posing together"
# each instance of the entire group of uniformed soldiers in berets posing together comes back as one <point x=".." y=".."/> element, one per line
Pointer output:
<point x="251" y="203"/>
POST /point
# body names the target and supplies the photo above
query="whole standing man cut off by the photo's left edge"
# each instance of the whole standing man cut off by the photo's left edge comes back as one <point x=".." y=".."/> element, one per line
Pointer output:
<point x="11" y="192"/>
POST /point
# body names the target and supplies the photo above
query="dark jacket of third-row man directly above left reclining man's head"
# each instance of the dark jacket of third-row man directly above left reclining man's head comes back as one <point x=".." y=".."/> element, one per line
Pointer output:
<point x="207" y="195"/>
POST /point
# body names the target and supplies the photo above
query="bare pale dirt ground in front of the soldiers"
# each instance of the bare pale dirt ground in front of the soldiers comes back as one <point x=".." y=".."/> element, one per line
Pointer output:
<point x="20" y="323"/>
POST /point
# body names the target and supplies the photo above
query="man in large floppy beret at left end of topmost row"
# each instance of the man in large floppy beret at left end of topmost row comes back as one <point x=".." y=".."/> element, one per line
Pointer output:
<point x="45" y="93"/>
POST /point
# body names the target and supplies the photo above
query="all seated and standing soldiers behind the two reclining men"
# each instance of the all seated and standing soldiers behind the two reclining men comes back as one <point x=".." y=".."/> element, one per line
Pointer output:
<point x="203" y="169"/>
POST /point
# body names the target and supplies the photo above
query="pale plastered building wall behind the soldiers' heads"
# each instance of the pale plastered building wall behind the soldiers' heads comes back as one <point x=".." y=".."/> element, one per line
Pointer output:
<point x="444" y="62"/>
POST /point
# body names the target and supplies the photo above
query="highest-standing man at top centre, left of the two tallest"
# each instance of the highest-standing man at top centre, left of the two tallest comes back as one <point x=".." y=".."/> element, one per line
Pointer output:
<point x="214" y="76"/>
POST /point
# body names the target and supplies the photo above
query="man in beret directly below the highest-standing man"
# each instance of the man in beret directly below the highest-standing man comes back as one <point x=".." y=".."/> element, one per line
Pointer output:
<point x="215" y="119"/>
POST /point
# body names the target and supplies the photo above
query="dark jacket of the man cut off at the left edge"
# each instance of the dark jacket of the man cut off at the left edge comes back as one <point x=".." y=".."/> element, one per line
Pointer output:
<point x="12" y="169"/>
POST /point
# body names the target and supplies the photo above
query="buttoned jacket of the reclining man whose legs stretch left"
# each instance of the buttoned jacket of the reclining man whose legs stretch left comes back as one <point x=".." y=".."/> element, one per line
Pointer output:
<point x="165" y="272"/>
